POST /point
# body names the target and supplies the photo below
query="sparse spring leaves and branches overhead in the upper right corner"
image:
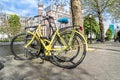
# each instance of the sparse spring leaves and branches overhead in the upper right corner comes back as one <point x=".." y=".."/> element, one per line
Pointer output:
<point x="104" y="6"/>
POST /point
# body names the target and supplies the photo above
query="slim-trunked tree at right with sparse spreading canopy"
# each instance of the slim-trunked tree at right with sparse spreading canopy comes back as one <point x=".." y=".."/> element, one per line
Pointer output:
<point x="98" y="7"/>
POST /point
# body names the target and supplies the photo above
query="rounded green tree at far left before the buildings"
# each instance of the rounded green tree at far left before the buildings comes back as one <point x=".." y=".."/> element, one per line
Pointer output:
<point x="14" y="23"/>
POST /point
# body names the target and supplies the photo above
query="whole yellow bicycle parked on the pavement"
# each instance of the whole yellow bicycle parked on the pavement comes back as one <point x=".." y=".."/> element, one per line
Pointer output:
<point x="64" y="48"/>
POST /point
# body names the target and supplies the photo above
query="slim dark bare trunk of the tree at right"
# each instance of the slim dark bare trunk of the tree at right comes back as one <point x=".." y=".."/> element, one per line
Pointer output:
<point x="101" y="27"/>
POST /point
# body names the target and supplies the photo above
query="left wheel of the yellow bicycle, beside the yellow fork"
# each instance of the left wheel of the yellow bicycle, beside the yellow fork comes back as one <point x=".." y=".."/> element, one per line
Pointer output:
<point x="18" y="49"/>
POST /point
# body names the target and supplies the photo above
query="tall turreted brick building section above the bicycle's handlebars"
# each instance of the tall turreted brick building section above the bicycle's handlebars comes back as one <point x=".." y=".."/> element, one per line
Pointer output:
<point x="56" y="11"/>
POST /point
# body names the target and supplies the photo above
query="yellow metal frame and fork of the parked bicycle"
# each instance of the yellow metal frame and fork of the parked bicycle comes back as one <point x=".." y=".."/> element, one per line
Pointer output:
<point x="38" y="35"/>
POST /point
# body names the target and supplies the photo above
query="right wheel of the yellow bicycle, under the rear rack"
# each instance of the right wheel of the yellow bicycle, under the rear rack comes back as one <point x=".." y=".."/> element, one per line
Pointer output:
<point x="74" y="55"/>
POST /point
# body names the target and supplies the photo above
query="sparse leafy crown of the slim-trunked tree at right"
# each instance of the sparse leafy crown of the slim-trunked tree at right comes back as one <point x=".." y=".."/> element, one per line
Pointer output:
<point x="93" y="6"/>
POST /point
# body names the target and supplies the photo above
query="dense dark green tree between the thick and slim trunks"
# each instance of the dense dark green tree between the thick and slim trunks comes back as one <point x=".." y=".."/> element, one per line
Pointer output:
<point x="91" y="24"/>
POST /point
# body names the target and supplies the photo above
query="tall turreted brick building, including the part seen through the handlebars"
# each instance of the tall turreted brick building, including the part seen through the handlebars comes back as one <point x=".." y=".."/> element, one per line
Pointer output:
<point x="56" y="11"/>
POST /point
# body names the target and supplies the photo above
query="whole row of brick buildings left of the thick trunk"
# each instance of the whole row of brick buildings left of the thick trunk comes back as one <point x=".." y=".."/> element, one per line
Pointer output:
<point x="56" y="11"/>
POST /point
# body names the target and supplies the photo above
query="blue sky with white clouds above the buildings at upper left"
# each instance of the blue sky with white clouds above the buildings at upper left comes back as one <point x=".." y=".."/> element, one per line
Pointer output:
<point x="21" y="7"/>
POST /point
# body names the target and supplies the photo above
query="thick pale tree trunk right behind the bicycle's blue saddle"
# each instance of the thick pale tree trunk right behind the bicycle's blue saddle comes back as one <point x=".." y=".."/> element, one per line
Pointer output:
<point x="77" y="13"/>
